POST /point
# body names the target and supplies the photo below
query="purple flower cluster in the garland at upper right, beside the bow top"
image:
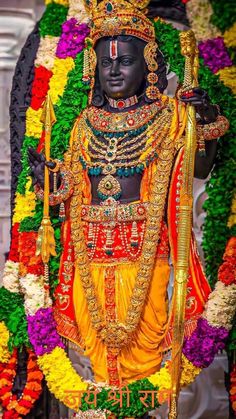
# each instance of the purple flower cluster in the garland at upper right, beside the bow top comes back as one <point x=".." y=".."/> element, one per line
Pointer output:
<point x="214" y="54"/>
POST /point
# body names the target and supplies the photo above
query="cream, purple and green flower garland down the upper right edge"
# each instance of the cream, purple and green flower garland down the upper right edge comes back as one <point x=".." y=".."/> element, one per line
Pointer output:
<point x="212" y="47"/>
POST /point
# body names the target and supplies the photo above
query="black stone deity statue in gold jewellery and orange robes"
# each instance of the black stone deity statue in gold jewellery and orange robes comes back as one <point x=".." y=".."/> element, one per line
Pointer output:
<point x="118" y="190"/>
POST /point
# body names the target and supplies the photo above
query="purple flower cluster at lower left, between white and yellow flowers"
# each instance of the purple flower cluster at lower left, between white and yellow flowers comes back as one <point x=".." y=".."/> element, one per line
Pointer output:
<point x="42" y="332"/>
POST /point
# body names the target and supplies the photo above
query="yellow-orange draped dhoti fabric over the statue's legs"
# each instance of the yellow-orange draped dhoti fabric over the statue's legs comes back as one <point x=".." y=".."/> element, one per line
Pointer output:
<point x="143" y="355"/>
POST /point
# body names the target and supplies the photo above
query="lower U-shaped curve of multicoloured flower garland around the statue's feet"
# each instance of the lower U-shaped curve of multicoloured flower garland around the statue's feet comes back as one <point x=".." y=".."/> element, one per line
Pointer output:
<point x="198" y="352"/>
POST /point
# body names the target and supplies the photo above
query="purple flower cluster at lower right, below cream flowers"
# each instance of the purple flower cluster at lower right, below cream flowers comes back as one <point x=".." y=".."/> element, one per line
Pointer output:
<point x="204" y="343"/>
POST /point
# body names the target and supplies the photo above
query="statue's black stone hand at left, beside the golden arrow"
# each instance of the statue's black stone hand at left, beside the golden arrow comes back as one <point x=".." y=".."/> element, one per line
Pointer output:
<point x="37" y="164"/>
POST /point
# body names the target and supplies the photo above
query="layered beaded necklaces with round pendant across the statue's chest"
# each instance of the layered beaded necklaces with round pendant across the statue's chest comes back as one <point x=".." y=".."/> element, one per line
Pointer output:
<point x="122" y="153"/>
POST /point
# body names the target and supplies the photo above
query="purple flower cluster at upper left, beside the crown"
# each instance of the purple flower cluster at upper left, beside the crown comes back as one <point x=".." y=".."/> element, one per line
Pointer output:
<point x="72" y="38"/>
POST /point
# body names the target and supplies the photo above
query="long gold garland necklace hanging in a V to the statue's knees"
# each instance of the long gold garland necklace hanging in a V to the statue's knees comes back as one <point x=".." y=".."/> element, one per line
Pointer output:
<point x="115" y="334"/>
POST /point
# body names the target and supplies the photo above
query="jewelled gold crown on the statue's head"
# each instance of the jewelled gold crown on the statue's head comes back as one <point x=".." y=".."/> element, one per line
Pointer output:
<point x="113" y="18"/>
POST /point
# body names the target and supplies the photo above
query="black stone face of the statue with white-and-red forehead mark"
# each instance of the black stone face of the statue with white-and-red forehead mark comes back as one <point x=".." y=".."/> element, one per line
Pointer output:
<point x="121" y="67"/>
